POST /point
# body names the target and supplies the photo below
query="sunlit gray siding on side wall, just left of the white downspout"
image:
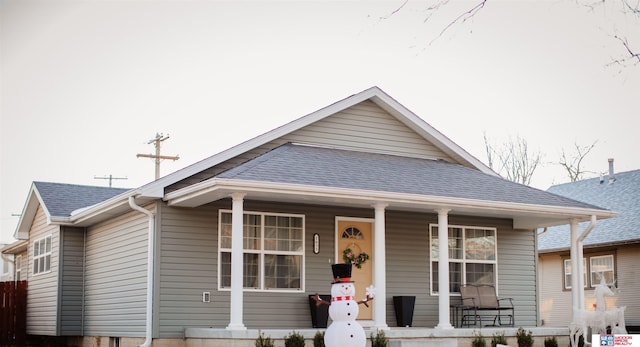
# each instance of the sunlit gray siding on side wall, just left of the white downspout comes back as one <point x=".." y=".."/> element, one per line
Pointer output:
<point x="116" y="277"/>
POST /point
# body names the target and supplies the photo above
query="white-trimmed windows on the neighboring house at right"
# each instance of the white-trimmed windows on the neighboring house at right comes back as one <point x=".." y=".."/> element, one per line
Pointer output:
<point x="595" y="267"/>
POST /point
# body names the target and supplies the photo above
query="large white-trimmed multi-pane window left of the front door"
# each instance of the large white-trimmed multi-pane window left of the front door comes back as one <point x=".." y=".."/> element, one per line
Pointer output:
<point x="273" y="251"/>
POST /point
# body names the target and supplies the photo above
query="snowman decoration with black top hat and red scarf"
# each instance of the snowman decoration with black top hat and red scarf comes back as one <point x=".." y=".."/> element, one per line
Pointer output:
<point x="344" y="330"/>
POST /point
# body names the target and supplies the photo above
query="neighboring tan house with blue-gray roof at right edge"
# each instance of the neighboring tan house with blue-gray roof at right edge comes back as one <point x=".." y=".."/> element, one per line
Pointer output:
<point x="611" y="249"/>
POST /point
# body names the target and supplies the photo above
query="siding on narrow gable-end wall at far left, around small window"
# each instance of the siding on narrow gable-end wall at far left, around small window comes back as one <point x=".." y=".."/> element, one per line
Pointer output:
<point x="42" y="295"/>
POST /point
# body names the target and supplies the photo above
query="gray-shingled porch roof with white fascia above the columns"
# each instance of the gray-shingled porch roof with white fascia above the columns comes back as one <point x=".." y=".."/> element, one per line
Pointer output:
<point x="351" y="178"/>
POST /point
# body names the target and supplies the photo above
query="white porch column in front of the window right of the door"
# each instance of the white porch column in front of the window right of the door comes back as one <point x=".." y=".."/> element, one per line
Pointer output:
<point x="444" y="316"/>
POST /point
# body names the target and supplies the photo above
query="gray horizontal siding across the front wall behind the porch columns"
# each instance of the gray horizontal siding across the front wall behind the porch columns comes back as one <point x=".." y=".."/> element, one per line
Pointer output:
<point x="189" y="266"/>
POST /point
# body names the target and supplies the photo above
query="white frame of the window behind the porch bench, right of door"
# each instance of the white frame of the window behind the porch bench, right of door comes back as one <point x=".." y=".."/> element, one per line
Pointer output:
<point x="462" y="261"/>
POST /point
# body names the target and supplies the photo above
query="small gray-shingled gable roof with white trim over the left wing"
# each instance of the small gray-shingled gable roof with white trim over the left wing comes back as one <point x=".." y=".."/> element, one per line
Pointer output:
<point x="60" y="201"/>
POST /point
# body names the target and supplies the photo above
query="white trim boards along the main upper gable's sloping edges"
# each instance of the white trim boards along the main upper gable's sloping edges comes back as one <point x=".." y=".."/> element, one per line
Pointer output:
<point x="375" y="94"/>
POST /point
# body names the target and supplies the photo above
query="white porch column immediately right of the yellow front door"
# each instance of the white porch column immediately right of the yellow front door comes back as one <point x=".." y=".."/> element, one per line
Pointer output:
<point x="380" y="268"/>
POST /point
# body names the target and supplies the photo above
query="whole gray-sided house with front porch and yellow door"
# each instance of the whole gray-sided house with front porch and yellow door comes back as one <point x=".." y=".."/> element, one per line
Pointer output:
<point x="271" y="214"/>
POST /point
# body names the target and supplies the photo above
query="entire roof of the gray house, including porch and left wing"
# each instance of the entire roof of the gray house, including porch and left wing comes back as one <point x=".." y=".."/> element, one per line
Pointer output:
<point x="300" y="174"/>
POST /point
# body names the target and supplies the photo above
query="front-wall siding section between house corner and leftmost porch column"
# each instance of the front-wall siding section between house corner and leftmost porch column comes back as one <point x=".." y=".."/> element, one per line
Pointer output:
<point x="187" y="268"/>
